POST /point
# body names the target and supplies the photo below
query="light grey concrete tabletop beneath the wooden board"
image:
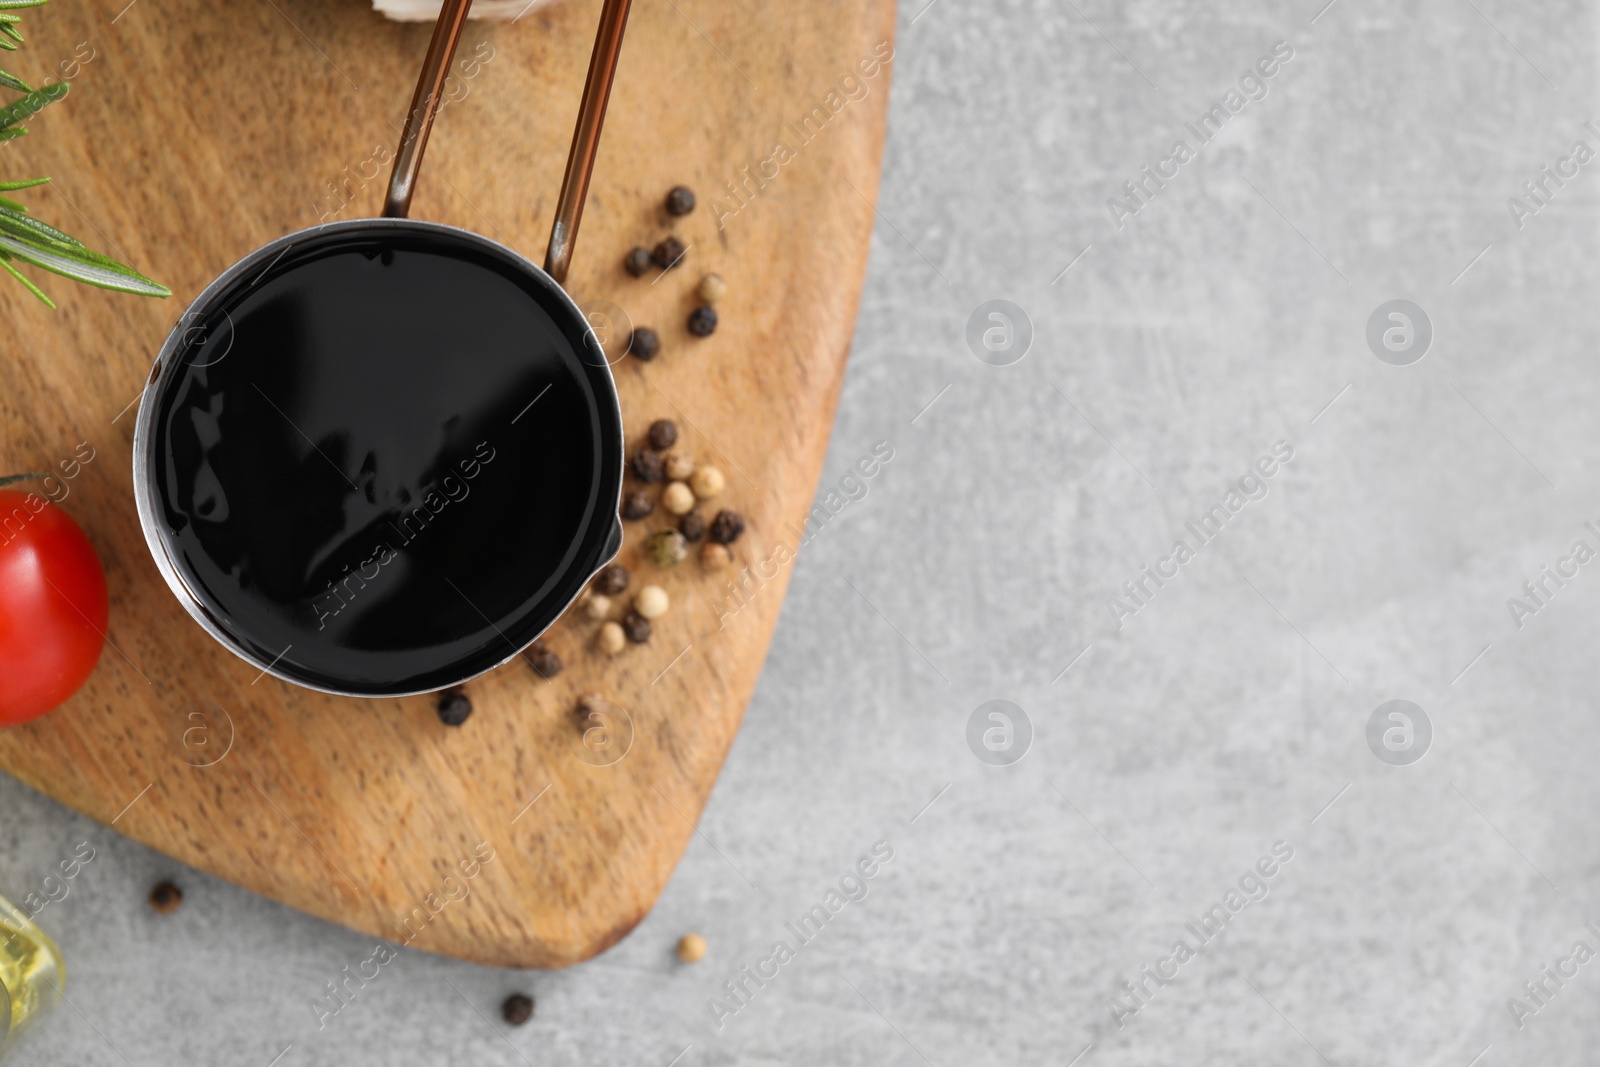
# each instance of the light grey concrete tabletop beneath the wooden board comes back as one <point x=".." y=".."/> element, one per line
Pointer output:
<point x="1199" y="762"/>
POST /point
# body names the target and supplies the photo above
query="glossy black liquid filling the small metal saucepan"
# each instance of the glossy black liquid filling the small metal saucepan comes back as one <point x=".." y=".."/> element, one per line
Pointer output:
<point x="385" y="463"/>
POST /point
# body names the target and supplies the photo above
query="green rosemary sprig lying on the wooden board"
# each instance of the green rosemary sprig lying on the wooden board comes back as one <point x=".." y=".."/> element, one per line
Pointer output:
<point x="28" y="239"/>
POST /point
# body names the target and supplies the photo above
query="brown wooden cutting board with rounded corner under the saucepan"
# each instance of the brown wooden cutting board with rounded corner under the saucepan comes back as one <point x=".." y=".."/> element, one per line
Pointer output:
<point x="199" y="130"/>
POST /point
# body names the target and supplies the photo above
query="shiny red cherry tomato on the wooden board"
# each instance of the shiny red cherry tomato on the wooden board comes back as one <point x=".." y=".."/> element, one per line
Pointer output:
<point x="52" y="607"/>
